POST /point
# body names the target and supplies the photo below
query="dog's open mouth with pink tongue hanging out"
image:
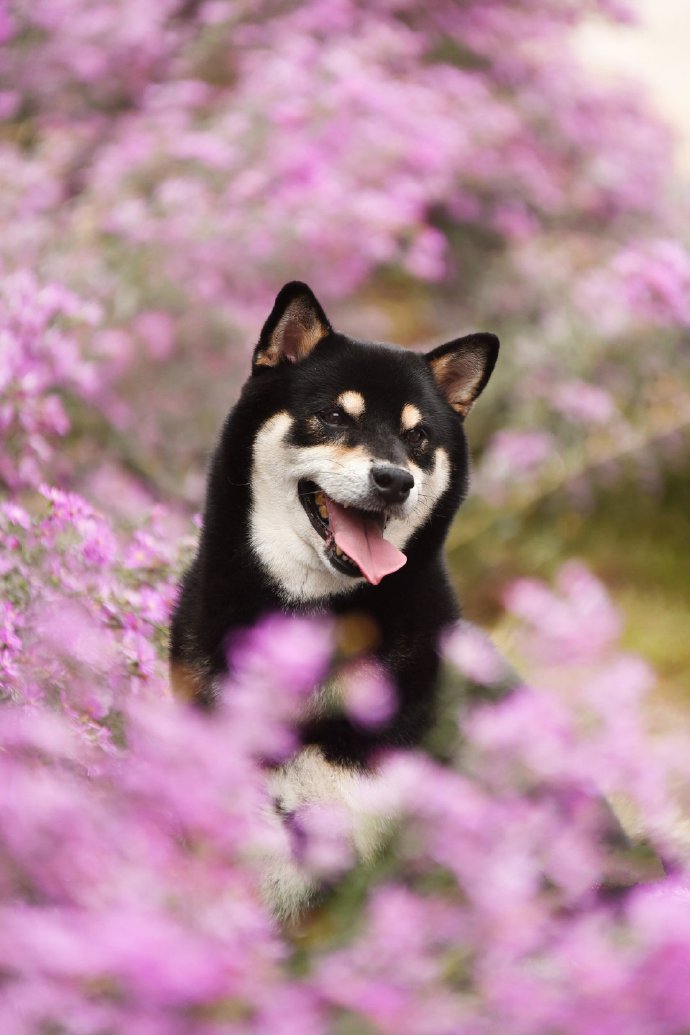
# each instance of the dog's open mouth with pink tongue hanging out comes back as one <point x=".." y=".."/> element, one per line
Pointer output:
<point x="354" y="539"/>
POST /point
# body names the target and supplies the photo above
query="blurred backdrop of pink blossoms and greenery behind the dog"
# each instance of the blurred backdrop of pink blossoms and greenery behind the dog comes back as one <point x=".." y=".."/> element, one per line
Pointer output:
<point x="509" y="166"/>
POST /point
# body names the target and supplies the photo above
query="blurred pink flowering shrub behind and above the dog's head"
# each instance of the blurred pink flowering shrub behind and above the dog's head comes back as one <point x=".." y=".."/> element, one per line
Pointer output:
<point x="173" y="163"/>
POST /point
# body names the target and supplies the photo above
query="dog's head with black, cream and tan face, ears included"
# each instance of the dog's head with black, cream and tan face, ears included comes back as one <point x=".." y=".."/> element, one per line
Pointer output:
<point x="364" y="447"/>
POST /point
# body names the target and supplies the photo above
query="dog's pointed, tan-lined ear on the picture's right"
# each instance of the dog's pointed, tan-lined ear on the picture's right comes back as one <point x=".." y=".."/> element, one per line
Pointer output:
<point x="463" y="368"/>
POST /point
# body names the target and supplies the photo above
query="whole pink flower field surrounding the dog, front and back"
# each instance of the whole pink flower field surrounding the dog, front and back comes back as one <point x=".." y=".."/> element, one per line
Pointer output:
<point x="164" y="169"/>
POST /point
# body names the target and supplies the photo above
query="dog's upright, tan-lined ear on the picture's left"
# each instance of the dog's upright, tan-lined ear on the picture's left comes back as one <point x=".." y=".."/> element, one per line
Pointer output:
<point x="295" y="327"/>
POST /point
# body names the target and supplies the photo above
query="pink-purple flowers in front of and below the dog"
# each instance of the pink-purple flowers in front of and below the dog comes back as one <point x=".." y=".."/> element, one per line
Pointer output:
<point x="134" y="827"/>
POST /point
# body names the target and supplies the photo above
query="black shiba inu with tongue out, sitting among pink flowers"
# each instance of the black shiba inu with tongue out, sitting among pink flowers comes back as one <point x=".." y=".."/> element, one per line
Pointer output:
<point x="333" y="488"/>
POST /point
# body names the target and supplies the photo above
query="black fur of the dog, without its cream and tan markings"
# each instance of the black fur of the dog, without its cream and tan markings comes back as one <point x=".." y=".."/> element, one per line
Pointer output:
<point x="226" y="588"/>
